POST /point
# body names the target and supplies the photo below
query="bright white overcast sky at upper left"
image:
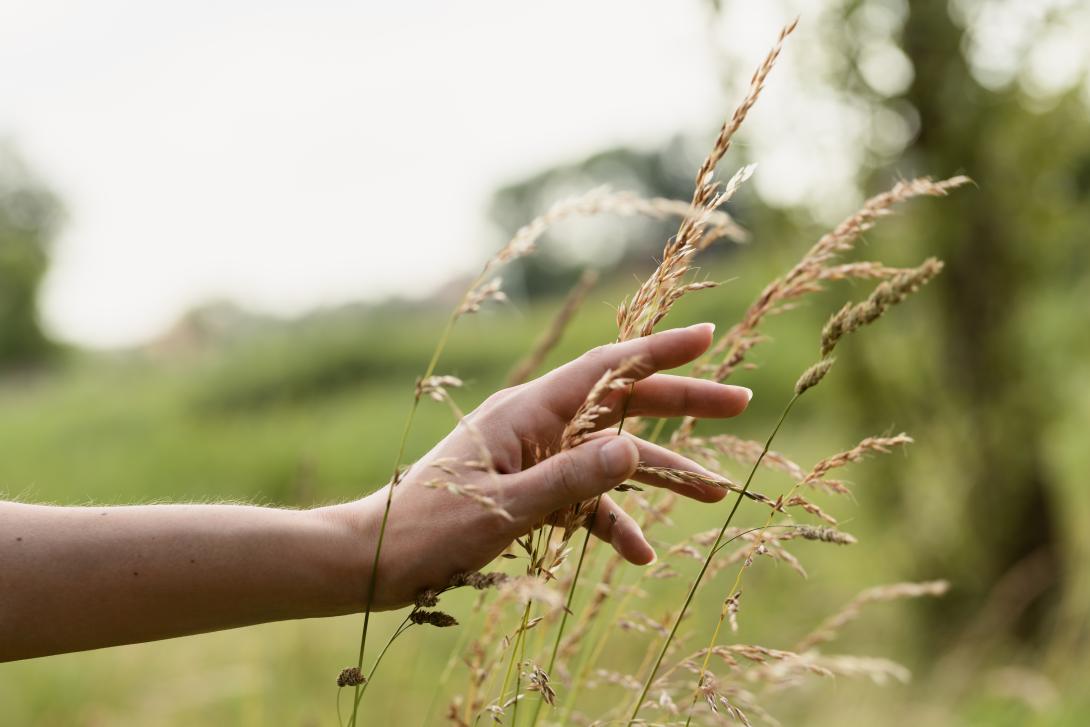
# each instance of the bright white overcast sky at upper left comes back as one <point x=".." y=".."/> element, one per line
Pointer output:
<point x="293" y="155"/>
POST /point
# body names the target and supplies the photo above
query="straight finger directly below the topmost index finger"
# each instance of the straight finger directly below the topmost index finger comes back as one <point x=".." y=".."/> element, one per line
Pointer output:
<point x="663" y="395"/>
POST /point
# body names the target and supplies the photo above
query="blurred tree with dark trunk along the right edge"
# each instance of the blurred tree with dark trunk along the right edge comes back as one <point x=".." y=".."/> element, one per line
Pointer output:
<point x="1011" y="246"/>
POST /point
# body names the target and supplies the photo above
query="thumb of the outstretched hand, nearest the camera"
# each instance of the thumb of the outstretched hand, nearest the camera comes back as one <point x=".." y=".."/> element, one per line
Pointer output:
<point x="577" y="475"/>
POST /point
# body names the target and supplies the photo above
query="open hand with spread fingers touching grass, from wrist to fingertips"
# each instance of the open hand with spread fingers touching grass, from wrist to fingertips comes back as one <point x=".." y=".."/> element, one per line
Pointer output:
<point x="433" y="535"/>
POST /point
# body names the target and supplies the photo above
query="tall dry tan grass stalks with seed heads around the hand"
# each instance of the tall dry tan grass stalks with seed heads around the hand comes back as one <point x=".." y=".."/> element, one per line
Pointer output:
<point x="505" y="659"/>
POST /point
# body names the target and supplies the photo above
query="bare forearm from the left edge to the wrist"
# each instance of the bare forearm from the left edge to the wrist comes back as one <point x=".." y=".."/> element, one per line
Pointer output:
<point x="74" y="579"/>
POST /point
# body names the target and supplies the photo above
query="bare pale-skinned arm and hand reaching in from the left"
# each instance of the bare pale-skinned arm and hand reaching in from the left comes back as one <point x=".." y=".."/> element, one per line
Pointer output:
<point x="78" y="578"/>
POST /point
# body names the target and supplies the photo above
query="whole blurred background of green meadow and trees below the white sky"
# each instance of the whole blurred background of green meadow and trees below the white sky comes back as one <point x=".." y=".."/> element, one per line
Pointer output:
<point x="988" y="369"/>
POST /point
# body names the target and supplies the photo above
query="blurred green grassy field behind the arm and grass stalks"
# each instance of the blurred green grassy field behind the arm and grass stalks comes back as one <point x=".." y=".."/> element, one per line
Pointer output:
<point x="309" y="414"/>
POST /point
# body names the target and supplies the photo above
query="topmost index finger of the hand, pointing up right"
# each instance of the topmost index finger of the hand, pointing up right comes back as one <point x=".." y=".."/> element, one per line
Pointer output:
<point x="566" y="387"/>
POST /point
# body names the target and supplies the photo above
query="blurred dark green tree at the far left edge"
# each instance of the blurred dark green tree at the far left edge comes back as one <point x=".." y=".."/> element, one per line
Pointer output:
<point x="29" y="219"/>
